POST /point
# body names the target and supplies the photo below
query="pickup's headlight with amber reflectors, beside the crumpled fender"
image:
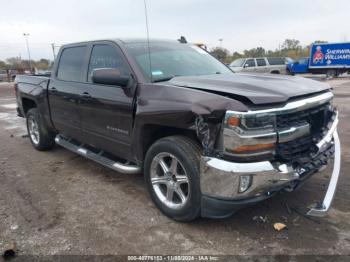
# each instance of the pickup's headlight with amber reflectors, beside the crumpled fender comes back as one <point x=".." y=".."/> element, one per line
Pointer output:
<point x="249" y="134"/>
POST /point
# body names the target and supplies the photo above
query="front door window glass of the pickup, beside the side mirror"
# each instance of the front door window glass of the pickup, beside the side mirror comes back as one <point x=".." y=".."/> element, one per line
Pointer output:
<point x="107" y="56"/>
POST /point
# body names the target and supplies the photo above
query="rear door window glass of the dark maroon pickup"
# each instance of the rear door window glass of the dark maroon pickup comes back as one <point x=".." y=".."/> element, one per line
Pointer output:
<point x="71" y="64"/>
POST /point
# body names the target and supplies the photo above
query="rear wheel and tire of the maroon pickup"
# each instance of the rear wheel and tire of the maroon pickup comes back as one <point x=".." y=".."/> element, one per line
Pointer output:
<point x="39" y="134"/>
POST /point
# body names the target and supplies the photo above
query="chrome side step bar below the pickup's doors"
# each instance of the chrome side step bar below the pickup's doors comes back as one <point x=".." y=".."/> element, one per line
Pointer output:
<point x="97" y="157"/>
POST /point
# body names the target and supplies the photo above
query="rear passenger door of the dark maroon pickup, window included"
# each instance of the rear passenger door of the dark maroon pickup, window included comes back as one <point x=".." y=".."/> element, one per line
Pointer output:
<point x="65" y="88"/>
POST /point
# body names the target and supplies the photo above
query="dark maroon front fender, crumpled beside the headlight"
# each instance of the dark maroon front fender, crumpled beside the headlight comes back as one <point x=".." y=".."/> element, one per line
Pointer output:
<point x="184" y="108"/>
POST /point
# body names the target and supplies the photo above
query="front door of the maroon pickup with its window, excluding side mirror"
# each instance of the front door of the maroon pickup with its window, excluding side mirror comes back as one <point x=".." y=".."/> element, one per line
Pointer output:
<point x="107" y="111"/>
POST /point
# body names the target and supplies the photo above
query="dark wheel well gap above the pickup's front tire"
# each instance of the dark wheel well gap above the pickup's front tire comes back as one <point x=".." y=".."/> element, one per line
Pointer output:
<point x="154" y="133"/>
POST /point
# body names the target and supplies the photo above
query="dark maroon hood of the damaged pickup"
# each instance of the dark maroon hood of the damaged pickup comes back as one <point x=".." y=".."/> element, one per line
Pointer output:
<point x="258" y="88"/>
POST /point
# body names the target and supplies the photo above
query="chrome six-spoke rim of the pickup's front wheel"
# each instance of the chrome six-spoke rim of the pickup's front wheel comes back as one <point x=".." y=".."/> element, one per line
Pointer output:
<point x="169" y="180"/>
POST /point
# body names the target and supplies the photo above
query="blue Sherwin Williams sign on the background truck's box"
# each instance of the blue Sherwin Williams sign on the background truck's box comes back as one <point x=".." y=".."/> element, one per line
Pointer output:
<point x="330" y="55"/>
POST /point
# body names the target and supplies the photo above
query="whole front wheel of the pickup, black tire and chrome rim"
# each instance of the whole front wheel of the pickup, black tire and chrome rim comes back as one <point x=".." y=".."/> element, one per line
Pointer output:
<point x="184" y="203"/>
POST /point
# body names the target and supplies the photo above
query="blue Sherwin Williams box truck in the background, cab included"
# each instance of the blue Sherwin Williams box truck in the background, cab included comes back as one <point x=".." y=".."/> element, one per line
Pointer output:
<point x="331" y="59"/>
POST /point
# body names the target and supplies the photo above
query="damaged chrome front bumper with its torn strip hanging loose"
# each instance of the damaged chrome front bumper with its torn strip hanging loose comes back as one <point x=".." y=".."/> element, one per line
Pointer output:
<point x="220" y="180"/>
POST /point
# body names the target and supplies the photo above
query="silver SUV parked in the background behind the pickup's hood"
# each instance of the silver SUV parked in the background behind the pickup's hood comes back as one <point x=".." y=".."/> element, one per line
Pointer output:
<point x="273" y="65"/>
